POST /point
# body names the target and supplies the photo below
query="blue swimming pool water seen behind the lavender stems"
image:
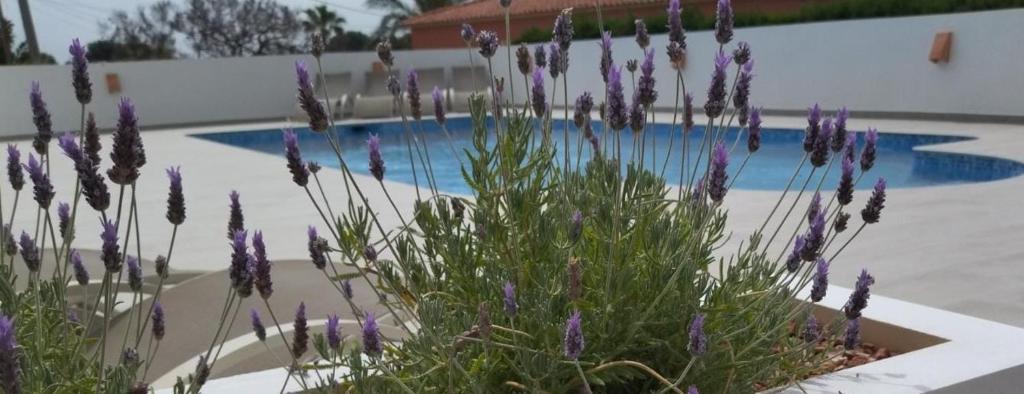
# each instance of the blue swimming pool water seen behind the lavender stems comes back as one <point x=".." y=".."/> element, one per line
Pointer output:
<point x="770" y="169"/>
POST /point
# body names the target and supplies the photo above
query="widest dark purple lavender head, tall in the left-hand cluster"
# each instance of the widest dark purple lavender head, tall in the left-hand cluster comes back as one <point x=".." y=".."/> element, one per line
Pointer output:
<point x="127" y="154"/>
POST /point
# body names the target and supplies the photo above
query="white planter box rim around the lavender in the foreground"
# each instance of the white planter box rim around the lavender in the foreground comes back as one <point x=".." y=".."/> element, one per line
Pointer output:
<point x="942" y="353"/>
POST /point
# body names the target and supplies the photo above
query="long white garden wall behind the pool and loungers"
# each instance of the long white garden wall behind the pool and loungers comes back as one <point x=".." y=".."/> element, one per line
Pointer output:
<point x="872" y="66"/>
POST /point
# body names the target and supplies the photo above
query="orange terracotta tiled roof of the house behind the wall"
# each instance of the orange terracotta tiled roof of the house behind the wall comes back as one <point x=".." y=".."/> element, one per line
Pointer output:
<point x="491" y="10"/>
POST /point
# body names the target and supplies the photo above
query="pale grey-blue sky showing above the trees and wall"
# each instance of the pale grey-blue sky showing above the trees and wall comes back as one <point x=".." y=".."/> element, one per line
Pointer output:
<point x="58" y="22"/>
